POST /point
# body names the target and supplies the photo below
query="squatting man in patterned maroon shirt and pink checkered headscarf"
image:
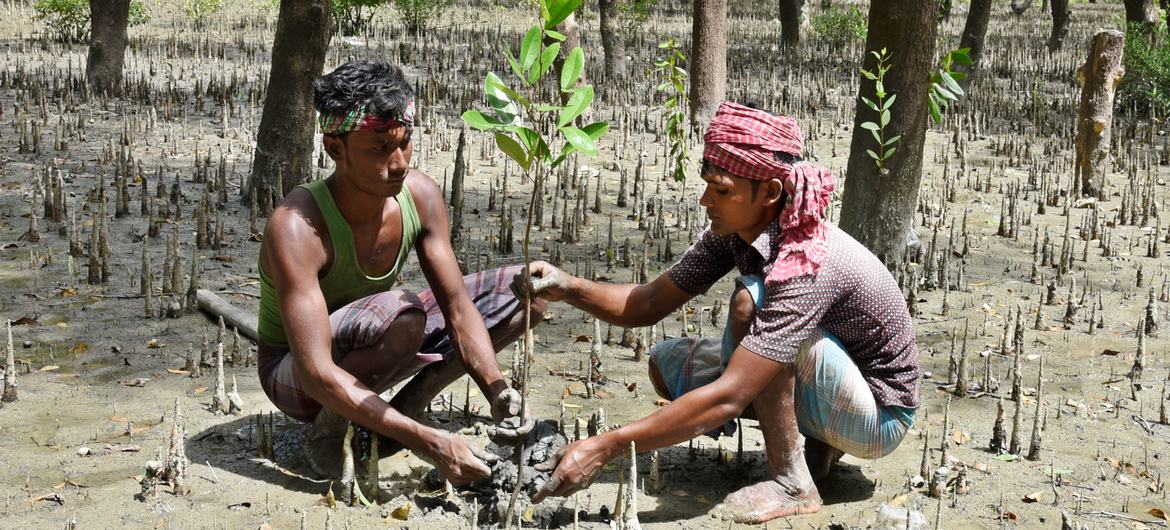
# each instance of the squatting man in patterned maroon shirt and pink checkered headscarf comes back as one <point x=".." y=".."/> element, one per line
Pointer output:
<point x="820" y="343"/>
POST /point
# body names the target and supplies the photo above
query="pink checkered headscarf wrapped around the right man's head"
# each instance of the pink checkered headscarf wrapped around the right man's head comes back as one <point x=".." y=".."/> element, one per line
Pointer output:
<point x="744" y="142"/>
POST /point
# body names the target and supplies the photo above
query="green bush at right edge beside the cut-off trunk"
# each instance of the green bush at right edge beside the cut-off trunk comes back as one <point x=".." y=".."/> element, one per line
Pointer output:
<point x="1146" y="86"/>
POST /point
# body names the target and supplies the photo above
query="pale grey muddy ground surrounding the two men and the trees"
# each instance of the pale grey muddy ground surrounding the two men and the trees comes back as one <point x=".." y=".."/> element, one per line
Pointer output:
<point x="102" y="380"/>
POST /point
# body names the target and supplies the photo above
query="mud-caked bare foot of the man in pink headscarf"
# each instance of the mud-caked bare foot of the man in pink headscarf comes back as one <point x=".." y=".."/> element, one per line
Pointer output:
<point x="775" y="498"/>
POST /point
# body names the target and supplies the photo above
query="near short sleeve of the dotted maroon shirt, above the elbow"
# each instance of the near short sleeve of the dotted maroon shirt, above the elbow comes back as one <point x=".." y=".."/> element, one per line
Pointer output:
<point x="790" y="313"/>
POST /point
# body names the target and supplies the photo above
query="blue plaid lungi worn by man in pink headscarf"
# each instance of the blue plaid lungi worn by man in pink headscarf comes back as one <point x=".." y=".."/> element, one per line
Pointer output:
<point x="834" y="402"/>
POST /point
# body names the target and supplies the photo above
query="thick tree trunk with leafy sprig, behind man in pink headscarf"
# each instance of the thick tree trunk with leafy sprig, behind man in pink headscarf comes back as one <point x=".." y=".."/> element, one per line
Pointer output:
<point x="879" y="207"/>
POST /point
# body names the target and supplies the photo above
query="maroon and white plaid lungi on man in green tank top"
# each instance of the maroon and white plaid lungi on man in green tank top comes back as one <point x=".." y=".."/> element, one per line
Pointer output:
<point x="363" y="322"/>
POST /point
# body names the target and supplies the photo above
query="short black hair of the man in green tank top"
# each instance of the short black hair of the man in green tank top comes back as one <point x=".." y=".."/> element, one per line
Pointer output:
<point x="380" y="85"/>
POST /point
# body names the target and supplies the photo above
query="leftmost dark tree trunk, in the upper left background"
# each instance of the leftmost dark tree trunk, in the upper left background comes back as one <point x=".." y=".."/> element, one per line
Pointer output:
<point x="107" y="45"/>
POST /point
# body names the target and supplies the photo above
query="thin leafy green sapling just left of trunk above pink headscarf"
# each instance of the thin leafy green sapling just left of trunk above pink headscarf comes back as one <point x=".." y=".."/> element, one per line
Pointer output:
<point x="673" y="85"/>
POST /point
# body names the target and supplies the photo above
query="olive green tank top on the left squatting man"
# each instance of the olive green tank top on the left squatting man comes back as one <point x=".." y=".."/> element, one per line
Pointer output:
<point x="346" y="280"/>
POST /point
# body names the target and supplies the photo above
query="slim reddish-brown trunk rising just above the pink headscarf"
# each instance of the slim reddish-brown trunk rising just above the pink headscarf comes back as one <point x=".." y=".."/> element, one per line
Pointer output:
<point x="708" y="60"/>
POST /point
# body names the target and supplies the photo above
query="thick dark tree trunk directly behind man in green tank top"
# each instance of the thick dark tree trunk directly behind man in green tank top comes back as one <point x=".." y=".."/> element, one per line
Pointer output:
<point x="285" y="141"/>
